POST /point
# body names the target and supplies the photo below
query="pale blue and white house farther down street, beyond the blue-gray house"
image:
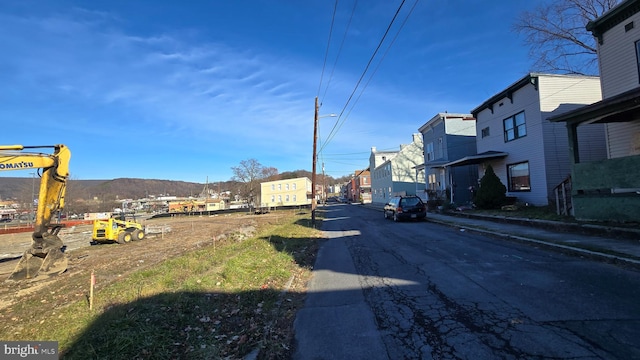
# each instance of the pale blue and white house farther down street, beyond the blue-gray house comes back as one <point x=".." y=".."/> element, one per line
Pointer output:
<point x="394" y="173"/>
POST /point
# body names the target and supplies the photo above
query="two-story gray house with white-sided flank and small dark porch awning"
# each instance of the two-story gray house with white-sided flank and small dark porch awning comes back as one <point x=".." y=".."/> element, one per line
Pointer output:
<point x="528" y="152"/>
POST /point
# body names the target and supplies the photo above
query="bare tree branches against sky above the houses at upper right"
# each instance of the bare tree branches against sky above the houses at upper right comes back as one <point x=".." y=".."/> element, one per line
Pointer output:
<point x="557" y="36"/>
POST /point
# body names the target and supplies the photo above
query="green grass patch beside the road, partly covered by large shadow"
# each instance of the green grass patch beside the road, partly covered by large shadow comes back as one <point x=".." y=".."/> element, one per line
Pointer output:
<point x="221" y="301"/>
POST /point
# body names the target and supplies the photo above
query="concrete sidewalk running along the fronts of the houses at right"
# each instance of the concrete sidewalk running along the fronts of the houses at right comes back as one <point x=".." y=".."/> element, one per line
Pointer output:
<point x="609" y="243"/>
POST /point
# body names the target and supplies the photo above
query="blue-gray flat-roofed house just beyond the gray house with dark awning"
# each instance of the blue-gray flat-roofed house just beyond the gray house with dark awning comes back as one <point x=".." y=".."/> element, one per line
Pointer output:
<point x="446" y="137"/>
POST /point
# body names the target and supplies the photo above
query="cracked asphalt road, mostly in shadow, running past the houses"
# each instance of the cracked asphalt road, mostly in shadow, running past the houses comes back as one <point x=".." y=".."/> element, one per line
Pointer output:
<point x="420" y="290"/>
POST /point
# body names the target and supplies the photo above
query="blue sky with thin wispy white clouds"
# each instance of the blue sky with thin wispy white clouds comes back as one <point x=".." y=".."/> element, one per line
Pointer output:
<point x="185" y="90"/>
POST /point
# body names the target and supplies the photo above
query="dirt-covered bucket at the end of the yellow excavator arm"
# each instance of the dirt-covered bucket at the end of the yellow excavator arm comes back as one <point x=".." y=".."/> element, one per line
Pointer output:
<point x="45" y="258"/>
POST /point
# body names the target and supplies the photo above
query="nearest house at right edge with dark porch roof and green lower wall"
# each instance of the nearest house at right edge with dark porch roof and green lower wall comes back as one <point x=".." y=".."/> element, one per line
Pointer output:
<point x="609" y="188"/>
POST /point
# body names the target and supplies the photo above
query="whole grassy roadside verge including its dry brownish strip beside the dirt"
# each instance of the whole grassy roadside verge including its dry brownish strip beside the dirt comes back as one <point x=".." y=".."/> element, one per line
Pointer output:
<point x="210" y="294"/>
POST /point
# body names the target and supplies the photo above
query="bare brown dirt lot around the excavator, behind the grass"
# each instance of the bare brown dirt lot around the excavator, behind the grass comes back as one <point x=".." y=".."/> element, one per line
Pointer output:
<point x="109" y="261"/>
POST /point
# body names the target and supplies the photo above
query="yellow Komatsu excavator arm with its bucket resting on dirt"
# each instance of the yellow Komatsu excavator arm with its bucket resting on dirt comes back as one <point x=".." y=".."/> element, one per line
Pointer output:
<point x="46" y="256"/>
